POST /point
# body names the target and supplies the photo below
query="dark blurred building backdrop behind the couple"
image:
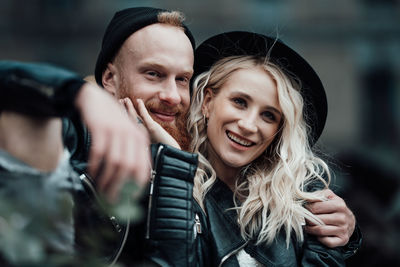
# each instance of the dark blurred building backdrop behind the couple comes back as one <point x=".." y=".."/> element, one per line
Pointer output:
<point x="354" y="45"/>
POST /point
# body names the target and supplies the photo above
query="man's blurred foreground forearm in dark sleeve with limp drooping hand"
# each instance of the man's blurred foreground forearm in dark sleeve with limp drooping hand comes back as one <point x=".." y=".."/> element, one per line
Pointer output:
<point x="119" y="147"/>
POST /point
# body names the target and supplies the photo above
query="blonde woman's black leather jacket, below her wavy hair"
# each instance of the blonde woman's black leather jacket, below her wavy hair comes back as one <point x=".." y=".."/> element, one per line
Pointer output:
<point x="219" y="239"/>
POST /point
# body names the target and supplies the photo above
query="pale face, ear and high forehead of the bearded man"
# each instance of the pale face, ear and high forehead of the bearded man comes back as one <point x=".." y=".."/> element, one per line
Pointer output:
<point x="154" y="64"/>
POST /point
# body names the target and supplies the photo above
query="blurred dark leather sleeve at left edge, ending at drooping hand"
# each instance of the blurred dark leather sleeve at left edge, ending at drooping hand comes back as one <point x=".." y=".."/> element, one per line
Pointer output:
<point x="37" y="89"/>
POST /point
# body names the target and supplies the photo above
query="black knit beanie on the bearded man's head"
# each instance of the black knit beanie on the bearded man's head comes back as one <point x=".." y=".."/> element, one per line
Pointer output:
<point x="122" y="25"/>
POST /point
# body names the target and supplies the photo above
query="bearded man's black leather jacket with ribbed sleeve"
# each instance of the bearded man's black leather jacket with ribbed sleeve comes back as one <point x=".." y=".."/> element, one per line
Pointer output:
<point x="43" y="90"/>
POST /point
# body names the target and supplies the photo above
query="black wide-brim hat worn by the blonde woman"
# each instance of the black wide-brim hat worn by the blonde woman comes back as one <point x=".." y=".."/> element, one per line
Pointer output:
<point x="248" y="43"/>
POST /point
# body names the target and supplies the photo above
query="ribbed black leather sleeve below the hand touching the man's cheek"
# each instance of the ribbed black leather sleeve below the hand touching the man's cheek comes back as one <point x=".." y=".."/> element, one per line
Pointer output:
<point x="171" y="218"/>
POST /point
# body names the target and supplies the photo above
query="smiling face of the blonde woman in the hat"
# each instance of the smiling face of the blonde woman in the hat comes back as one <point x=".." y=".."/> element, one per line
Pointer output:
<point x="243" y="118"/>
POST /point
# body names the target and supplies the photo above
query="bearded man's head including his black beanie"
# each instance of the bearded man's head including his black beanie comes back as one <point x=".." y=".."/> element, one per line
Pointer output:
<point x="153" y="62"/>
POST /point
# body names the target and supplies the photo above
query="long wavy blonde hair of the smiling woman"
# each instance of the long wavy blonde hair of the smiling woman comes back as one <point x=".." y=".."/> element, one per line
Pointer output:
<point x="273" y="188"/>
